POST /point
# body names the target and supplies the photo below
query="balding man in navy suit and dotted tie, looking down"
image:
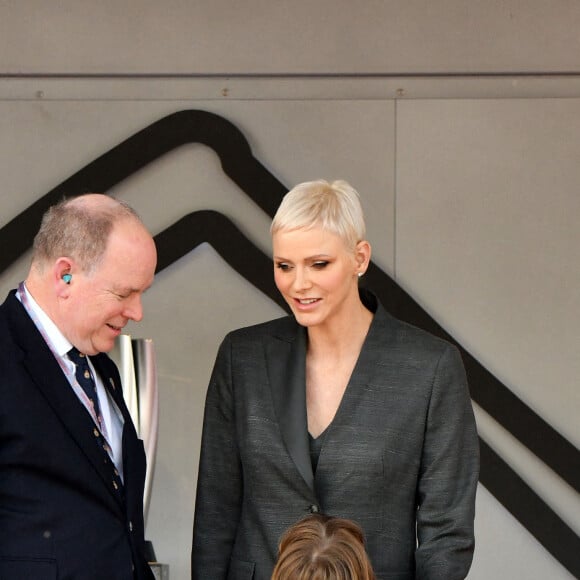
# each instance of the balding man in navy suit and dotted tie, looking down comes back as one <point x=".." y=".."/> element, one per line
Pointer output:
<point x="72" y="468"/>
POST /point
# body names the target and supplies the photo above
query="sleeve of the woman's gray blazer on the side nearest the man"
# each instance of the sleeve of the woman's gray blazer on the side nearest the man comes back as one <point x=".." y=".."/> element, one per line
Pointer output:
<point x="219" y="483"/>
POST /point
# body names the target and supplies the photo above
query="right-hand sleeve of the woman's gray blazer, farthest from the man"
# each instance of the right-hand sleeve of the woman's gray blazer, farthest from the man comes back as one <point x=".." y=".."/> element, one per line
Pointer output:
<point x="448" y="477"/>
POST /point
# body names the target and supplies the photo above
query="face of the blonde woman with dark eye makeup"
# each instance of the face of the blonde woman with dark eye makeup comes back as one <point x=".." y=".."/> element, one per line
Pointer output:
<point x="316" y="274"/>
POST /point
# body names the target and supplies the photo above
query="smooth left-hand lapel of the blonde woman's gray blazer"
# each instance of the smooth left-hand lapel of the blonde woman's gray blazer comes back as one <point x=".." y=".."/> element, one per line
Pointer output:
<point x="286" y="360"/>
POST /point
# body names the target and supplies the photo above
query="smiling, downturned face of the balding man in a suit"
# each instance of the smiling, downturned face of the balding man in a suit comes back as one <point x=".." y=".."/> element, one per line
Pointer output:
<point x="101" y="302"/>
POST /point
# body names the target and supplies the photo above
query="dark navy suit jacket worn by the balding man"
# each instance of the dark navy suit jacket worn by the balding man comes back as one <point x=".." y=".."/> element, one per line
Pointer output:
<point x="61" y="517"/>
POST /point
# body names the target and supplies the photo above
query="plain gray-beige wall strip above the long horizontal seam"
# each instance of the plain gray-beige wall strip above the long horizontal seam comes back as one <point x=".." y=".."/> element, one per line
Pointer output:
<point x="259" y="36"/>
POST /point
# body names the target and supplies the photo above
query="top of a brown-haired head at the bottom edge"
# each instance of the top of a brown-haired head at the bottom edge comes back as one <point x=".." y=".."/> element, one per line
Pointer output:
<point x="321" y="547"/>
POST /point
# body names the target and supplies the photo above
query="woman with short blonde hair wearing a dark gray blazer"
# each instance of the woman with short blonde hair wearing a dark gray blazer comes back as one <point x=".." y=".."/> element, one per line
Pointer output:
<point x="340" y="409"/>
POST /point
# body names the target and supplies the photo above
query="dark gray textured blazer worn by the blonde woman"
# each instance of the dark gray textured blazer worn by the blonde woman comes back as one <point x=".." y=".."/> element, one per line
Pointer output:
<point x="401" y="456"/>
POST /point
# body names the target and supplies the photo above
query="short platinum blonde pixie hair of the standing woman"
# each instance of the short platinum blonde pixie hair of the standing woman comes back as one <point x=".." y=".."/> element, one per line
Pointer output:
<point x="335" y="206"/>
